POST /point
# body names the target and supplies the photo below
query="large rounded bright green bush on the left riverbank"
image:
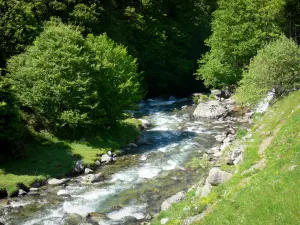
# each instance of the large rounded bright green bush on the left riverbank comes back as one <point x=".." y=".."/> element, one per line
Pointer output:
<point x="69" y="81"/>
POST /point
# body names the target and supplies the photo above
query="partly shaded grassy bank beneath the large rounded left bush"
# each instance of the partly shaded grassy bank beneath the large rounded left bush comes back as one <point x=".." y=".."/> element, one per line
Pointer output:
<point x="50" y="157"/>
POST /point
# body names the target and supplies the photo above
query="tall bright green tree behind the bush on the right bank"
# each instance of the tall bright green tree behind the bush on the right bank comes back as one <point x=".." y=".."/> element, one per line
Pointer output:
<point x="239" y="29"/>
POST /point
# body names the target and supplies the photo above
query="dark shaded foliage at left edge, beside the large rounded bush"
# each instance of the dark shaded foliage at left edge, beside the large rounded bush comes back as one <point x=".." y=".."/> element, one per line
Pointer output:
<point x="10" y="123"/>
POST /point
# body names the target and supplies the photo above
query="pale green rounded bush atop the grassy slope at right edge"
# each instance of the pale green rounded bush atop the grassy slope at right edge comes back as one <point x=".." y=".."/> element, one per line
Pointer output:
<point x="276" y="67"/>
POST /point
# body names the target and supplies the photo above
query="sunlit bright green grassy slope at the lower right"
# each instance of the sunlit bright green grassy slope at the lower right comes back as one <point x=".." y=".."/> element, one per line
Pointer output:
<point x="267" y="196"/>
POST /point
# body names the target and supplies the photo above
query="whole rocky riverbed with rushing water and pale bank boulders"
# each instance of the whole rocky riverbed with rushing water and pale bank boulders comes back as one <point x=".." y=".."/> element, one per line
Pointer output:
<point x="131" y="188"/>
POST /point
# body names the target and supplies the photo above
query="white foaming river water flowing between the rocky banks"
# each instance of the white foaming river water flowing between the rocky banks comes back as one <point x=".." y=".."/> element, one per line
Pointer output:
<point x="138" y="182"/>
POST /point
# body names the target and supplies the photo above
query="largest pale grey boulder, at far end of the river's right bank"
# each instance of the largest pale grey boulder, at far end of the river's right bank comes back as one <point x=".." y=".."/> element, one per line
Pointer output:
<point x="211" y="109"/>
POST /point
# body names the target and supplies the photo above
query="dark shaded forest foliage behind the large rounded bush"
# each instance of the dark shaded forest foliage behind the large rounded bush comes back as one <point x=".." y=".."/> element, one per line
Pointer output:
<point x="166" y="38"/>
